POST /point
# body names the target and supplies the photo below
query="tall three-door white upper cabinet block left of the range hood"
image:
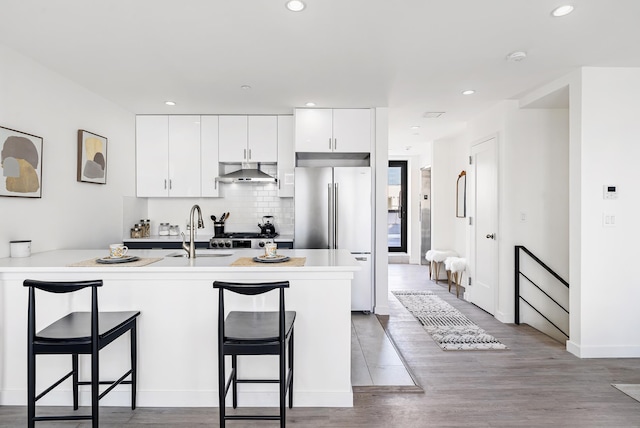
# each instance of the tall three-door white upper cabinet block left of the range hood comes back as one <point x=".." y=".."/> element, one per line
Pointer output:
<point x="172" y="159"/>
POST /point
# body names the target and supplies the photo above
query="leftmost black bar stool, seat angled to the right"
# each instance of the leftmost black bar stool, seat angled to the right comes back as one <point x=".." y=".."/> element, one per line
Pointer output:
<point x="74" y="334"/>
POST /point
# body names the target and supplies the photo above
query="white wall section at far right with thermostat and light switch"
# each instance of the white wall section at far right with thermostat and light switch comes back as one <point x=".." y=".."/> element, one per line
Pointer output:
<point x="609" y="288"/>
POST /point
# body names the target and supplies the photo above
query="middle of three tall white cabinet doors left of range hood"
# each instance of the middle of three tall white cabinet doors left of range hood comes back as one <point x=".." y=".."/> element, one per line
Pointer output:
<point x="184" y="155"/>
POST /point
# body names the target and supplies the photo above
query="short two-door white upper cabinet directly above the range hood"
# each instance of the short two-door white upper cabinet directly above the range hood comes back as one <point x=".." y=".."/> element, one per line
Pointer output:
<point x="248" y="139"/>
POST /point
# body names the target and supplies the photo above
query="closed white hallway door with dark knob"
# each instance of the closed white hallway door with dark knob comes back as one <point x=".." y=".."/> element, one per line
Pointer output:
<point x="483" y="291"/>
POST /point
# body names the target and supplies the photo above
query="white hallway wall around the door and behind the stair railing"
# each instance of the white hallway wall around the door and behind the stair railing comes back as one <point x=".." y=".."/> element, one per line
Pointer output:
<point x="533" y="180"/>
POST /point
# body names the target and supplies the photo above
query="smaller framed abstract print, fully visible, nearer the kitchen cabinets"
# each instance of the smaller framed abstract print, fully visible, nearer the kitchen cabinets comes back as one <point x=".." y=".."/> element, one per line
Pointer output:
<point x="92" y="157"/>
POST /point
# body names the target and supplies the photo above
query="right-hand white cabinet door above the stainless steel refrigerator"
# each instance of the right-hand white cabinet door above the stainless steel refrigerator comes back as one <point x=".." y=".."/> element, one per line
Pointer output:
<point x="352" y="130"/>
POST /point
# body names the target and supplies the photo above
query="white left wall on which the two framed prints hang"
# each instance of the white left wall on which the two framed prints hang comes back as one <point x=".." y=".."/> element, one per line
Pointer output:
<point x="70" y="214"/>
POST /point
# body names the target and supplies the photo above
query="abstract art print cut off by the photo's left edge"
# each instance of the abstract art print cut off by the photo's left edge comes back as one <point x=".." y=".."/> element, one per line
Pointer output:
<point x="21" y="164"/>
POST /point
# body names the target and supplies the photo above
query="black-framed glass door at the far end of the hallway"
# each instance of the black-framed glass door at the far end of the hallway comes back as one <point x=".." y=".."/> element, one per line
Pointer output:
<point x="397" y="206"/>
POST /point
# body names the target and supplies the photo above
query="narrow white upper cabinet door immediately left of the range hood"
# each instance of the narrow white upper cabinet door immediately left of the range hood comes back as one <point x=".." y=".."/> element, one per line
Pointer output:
<point x="209" y="167"/>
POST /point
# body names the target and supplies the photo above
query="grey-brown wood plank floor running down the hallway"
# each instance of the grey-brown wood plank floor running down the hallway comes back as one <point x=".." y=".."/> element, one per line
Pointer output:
<point x="535" y="383"/>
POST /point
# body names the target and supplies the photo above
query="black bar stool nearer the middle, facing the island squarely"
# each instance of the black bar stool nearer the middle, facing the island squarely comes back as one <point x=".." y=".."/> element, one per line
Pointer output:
<point x="254" y="333"/>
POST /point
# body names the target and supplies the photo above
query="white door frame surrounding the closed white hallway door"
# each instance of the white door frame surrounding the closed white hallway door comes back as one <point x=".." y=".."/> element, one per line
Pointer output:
<point x="469" y="294"/>
